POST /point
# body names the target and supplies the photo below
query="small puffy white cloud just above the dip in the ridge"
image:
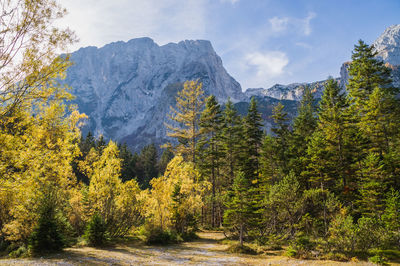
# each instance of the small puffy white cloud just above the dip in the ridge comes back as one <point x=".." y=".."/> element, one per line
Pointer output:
<point x="269" y="64"/>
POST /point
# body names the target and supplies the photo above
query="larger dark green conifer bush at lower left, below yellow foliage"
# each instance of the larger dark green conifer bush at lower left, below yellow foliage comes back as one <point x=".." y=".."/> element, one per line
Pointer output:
<point x="47" y="236"/>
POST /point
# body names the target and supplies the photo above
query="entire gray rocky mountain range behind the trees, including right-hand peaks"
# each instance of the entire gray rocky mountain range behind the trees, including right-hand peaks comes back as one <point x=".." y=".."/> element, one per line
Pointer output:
<point x="127" y="88"/>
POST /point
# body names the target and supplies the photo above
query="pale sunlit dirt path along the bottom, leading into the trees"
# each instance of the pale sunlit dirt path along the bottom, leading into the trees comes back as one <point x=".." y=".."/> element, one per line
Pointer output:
<point x="205" y="251"/>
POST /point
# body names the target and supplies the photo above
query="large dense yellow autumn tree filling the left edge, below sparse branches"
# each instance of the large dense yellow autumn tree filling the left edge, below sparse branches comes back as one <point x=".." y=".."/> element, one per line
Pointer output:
<point x="39" y="143"/>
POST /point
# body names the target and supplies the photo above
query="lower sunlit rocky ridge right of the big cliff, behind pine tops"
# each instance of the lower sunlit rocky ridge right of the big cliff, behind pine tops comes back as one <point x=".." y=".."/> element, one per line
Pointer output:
<point x="387" y="47"/>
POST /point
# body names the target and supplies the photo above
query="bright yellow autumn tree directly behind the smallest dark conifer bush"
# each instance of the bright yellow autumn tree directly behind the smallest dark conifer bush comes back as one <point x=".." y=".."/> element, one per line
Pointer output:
<point x="117" y="203"/>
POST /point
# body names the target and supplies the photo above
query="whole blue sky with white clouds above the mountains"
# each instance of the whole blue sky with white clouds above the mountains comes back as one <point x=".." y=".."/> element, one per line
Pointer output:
<point x="261" y="42"/>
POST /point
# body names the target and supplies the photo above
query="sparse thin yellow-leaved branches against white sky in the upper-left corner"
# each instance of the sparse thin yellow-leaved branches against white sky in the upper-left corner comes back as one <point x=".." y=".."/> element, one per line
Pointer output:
<point x="30" y="47"/>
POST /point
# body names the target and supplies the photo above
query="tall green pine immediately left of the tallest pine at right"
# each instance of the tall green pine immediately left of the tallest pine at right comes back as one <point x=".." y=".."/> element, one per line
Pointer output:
<point x="329" y="150"/>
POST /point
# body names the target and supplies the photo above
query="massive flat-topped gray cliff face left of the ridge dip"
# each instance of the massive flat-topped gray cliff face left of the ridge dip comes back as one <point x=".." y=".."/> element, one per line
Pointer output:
<point x="126" y="88"/>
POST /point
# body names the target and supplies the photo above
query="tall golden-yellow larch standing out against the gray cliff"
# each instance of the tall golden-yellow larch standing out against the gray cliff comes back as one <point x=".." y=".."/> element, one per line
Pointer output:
<point x="189" y="104"/>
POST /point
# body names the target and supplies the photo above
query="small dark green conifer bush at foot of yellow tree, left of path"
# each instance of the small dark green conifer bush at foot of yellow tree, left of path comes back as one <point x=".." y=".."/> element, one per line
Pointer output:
<point x="95" y="233"/>
